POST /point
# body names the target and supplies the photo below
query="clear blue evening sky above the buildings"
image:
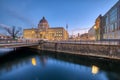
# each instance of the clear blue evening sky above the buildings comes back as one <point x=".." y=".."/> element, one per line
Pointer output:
<point x="78" y="14"/>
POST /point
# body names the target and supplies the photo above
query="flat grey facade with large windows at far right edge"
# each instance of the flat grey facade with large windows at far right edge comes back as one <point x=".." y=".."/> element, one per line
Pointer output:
<point x="111" y="23"/>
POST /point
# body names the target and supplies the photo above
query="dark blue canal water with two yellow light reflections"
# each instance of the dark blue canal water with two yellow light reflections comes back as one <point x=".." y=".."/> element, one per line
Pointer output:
<point x="30" y="64"/>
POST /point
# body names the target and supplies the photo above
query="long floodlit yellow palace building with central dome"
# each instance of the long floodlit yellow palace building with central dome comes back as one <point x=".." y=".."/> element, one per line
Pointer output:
<point x="45" y="32"/>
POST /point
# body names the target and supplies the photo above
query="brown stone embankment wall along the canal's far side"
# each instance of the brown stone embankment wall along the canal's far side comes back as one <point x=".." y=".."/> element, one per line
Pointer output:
<point x="96" y="50"/>
